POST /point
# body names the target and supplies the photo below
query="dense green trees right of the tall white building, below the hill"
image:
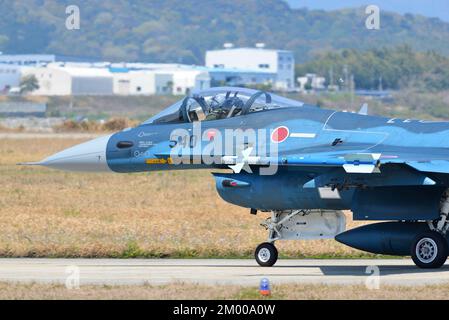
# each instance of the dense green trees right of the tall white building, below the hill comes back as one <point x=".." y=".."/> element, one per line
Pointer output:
<point x="387" y="68"/>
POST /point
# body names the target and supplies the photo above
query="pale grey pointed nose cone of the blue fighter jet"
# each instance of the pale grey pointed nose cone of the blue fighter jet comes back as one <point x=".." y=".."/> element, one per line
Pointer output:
<point x="86" y="157"/>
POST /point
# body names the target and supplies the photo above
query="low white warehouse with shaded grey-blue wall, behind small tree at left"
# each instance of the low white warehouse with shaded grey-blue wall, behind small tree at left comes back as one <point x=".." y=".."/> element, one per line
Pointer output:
<point x="56" y="80"/>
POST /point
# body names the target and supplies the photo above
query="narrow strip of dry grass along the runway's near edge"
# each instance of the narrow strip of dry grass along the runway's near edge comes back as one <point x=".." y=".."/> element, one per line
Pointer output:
<point x="196" y="292"/>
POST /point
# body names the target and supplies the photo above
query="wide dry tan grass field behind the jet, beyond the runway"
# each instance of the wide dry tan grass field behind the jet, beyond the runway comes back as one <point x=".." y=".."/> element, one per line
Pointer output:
<point x="46" y="213"/>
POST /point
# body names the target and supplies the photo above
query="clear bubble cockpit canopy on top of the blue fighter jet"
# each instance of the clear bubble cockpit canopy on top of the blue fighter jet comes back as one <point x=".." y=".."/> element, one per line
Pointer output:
<point x="221" y="103"/>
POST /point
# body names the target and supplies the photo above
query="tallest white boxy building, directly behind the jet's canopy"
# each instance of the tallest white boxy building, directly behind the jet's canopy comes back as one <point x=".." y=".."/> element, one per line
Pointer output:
<point x="280" y="64"/>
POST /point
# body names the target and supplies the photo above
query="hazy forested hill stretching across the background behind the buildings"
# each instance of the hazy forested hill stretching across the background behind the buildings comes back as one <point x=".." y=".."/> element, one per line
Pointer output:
<point x="181" y="30"/>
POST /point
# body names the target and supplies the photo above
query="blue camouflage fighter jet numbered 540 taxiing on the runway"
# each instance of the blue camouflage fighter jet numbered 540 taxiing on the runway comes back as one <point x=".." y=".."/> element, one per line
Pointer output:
<point x="303" y="164"/>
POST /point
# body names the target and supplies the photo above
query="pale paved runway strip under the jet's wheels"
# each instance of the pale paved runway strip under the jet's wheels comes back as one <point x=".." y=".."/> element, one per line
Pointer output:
<point x="216" y="272"/>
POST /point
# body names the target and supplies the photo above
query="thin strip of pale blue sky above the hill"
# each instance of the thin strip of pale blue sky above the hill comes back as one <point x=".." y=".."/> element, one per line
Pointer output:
<point x="429" y="8"/>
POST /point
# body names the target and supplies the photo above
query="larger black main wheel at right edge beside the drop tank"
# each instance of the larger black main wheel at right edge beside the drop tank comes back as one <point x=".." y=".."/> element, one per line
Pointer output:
<point x="429" y="250"/>
